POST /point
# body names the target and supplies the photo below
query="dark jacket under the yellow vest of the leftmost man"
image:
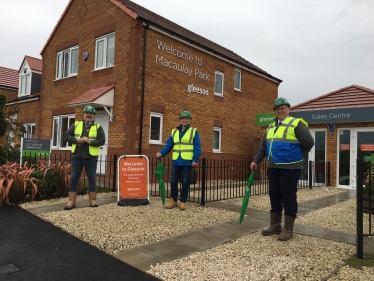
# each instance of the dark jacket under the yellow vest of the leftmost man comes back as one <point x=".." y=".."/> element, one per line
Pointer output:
<point x="81" y="151"/>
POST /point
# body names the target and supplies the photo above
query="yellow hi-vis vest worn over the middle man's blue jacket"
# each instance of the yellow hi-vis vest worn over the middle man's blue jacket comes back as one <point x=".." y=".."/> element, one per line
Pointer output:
<point x="184" y="147"/>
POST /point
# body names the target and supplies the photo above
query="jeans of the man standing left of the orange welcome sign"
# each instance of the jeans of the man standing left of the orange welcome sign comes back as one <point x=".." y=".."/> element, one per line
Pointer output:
<point x="77" y="165"/>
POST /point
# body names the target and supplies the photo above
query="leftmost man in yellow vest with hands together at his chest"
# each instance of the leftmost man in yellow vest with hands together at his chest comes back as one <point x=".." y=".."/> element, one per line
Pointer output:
<point x="85" y="138"/>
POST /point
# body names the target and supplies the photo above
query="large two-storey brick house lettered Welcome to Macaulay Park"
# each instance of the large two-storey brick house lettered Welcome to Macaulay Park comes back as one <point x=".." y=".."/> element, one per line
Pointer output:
<point x="140" y="70"/>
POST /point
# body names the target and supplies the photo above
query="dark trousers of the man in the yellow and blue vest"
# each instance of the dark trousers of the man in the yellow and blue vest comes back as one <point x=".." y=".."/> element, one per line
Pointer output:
<point x="283" y="189"/>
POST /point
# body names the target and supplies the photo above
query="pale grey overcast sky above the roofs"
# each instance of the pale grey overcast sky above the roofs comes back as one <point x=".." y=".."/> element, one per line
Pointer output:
<point x="315" y="47"/>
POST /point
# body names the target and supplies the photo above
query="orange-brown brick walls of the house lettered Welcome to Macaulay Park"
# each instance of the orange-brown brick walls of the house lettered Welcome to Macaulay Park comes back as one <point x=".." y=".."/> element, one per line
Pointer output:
<point x="165" y="88"/>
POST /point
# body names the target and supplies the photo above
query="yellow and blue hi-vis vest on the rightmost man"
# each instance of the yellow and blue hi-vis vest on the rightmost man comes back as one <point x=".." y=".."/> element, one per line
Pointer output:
<point x="281" y="143"/>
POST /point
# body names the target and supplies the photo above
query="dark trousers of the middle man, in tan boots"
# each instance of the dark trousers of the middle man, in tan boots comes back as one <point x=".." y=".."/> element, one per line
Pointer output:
<point x="176" y="171"/>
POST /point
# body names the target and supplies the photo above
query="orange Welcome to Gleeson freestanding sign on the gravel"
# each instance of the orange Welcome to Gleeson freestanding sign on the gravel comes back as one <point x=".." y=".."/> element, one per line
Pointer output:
<point x="133" y="180"/>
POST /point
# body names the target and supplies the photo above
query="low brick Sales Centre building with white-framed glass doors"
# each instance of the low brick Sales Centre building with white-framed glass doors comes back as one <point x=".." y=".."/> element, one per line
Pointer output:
<point x="342" y="125"/>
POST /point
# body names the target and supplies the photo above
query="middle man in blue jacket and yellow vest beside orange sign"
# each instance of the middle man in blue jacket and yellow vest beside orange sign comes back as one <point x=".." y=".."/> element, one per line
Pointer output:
<point x="185" y="142"/>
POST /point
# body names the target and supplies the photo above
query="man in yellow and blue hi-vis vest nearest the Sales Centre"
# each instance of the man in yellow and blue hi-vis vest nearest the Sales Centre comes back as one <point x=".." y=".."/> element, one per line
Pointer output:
<point x="286" y="141"/>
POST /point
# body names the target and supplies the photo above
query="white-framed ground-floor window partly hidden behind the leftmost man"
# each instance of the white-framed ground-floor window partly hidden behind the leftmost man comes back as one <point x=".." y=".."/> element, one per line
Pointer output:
<point x="60" y="126"/>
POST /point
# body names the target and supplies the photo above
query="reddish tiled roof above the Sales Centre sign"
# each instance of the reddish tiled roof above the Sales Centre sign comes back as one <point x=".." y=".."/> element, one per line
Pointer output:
<point x="348" y="97"/>
